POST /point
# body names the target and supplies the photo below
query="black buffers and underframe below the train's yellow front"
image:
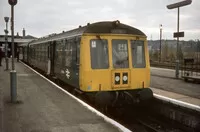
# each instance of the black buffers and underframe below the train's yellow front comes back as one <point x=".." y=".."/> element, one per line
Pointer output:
<point x="121" y="97"/>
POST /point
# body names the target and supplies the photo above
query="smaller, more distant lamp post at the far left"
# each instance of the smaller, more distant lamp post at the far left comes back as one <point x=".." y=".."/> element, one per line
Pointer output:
<point x="6" y="40"/>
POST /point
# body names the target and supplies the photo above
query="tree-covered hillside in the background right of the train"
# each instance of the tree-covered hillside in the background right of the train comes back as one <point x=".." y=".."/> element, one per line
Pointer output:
<point x="187" y="49"/>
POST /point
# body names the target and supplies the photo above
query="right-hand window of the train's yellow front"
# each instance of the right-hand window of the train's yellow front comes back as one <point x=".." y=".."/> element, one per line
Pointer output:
<point x="138" y="54"/>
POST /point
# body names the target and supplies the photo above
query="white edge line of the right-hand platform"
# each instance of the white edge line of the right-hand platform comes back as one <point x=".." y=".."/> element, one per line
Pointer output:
<point x="178" y="102"/>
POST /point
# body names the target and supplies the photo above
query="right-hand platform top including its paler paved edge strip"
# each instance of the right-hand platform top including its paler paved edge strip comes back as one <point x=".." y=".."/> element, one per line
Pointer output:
<point x="164" y="83"/>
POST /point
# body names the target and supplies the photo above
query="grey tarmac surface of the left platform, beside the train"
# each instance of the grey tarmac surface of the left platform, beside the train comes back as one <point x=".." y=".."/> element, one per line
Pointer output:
<point x="42" y="107"/>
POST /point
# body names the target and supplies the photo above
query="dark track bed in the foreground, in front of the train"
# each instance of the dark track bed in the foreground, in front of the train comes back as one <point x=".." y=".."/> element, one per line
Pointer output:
<point x="143" y="120"/>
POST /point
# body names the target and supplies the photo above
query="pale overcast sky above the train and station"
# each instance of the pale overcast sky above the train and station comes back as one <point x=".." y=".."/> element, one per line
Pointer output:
<point x="42" y="17"/>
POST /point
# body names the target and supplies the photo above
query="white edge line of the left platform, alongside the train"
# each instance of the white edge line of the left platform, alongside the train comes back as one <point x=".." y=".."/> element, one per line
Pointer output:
<point x="113" y="122"/>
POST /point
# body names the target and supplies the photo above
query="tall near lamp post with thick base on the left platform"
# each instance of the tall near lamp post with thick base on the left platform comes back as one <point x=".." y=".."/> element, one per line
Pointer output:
<point x="13" y="73"/>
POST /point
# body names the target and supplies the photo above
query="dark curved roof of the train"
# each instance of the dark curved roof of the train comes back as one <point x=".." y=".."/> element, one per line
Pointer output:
<point x="105" y="27"/>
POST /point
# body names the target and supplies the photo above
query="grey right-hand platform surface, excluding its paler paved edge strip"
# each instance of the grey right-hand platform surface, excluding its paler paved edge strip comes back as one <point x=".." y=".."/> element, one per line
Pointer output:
<point x="164" y="79"/>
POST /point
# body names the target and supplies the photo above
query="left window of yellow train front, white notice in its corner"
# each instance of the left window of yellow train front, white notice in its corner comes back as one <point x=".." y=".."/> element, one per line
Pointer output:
<point x="99" y="54"/>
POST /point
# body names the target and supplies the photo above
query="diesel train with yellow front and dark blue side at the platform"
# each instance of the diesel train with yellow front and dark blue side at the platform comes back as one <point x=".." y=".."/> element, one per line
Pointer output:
<point x="107" y="61"/>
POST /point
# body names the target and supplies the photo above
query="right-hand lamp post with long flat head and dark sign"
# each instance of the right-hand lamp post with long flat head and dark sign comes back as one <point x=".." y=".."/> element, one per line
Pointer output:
<point x="178" y="34"/>
